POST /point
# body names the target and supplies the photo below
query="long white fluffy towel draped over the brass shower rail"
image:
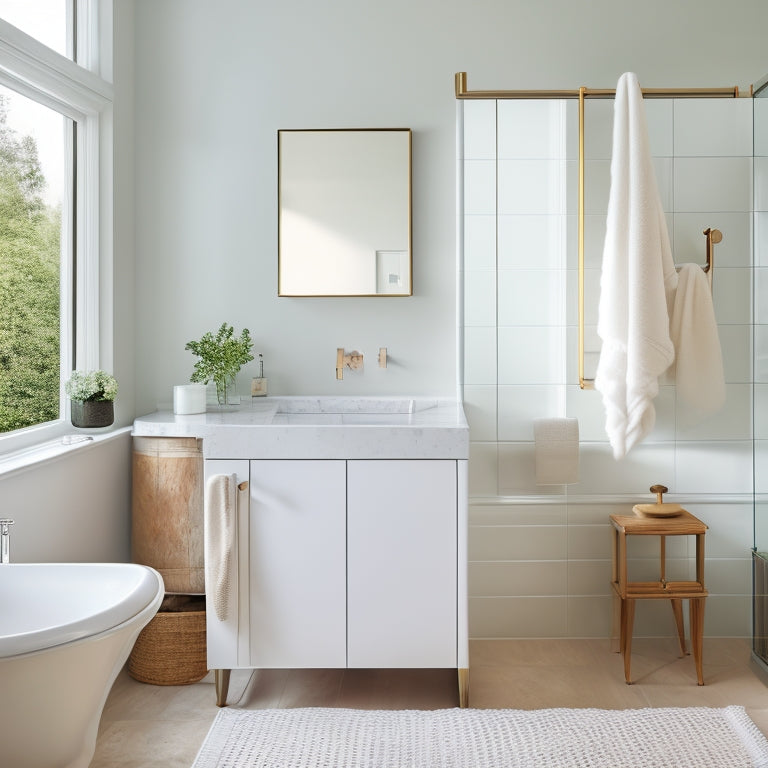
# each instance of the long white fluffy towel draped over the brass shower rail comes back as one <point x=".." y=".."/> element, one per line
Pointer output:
<point x="637" y="283"/>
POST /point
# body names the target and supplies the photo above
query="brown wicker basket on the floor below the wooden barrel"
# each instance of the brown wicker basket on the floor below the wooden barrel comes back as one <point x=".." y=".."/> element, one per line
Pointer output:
<point x="171" y="649"/>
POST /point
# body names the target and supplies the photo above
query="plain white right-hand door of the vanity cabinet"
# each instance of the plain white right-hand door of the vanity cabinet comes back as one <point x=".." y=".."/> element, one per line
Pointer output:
<point x="402" y="563"/>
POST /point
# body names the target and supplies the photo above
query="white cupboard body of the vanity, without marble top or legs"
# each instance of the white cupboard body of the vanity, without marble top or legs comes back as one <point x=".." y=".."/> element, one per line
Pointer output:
<point x="343" y="564"/>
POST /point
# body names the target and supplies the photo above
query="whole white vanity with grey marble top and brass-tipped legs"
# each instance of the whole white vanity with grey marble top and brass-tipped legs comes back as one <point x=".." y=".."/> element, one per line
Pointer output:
<point x="350" y="543"/>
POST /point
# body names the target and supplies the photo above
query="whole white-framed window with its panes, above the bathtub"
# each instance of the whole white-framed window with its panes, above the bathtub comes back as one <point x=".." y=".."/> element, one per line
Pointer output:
<point x="52" y="133"/>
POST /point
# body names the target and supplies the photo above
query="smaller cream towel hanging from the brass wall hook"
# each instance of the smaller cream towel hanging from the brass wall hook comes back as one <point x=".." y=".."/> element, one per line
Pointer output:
<point x="699" y="375"/>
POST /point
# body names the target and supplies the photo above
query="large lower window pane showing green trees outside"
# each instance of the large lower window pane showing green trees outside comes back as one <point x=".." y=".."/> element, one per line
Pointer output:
<point x="32" y="174"/>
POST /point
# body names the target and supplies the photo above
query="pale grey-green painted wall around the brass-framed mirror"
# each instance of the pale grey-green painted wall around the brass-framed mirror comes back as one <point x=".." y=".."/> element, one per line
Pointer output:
<point x="214" y="83"/>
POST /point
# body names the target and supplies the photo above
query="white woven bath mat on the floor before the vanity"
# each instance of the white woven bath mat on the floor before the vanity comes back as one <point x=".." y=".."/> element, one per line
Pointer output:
<point x="696" y="737"/>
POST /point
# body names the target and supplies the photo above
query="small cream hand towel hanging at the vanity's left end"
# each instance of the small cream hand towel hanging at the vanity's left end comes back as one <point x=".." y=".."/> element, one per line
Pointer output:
<point x="219" y="535"/>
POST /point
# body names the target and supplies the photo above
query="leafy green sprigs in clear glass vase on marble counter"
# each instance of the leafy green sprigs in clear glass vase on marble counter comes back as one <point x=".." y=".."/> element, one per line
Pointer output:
<point x="221" y="357"/>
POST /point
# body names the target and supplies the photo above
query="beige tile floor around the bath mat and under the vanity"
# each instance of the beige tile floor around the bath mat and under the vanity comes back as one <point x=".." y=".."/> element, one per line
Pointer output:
<point x="146" y="726"/>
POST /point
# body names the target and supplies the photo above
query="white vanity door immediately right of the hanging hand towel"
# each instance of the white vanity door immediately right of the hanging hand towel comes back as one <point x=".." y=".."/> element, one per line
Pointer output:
<point x="298" y="563"/>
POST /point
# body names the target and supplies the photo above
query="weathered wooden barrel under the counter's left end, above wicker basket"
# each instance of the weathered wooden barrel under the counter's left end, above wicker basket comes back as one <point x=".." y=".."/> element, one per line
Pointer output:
<point x="167" y="524"/>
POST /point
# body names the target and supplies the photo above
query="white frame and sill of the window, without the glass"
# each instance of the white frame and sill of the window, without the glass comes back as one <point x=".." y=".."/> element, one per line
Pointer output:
<point x="36" y="71"/>
